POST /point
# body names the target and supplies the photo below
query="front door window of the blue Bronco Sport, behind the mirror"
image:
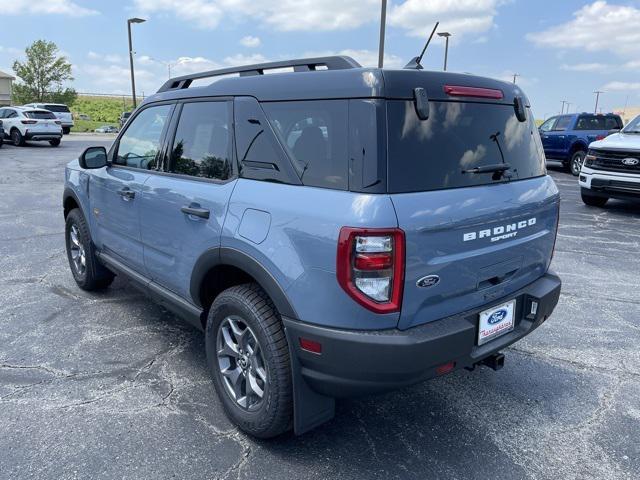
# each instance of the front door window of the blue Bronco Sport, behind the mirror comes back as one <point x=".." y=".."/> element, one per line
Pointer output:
<point x="138" y="147"/>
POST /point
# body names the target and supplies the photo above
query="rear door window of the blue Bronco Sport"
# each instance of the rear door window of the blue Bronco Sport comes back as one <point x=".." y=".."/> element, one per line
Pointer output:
<point x="202" y="145"/>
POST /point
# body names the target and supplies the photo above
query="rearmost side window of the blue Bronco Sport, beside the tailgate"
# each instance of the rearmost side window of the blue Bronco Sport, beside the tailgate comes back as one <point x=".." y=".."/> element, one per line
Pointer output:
<point x="315" y="133"/>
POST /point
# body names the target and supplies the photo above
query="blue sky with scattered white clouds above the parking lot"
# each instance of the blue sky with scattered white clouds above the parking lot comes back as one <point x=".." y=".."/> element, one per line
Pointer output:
<point x="561" y="49"/>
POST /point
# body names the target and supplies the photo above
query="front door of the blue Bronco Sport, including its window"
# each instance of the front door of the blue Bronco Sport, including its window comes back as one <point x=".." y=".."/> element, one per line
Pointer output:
<point x="115" y="191"/>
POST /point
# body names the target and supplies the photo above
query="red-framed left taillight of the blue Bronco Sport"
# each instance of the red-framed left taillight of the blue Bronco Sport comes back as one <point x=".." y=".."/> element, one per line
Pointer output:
<point x="370" y="266"/>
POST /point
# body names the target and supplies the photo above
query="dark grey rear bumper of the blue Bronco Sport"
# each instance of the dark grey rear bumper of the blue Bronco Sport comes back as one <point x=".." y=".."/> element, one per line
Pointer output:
<point x="361" y="362"/>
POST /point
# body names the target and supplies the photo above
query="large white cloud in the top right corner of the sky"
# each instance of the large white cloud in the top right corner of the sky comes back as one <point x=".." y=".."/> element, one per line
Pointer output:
<point x="599" y="26"/>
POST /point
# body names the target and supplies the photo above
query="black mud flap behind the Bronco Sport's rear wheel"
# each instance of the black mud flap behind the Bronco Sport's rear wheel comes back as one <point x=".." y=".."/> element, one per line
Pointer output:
<point x="310" y="409"/>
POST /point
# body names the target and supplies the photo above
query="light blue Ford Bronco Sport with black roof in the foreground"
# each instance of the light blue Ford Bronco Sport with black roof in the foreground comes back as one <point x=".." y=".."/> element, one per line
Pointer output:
<point x="335" y="231"/>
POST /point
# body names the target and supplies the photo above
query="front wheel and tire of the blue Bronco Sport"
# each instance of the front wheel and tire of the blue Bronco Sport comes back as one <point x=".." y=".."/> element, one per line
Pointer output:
<point x="90" y="275"/>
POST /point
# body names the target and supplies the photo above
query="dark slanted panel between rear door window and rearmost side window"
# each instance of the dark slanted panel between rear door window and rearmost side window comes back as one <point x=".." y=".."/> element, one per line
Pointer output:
<point x="260" y="156"/>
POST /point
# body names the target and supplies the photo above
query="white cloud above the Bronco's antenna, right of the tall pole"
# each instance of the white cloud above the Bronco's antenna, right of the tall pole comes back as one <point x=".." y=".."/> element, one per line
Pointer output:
<point x="457" y="16"/>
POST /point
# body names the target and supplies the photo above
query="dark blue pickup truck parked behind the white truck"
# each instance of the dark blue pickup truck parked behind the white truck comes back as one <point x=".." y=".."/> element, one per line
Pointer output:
<point x="567" y="137"/>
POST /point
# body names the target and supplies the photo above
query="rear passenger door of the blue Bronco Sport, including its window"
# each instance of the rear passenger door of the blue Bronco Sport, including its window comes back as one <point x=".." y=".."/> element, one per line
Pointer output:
<point x="183" y="211"/>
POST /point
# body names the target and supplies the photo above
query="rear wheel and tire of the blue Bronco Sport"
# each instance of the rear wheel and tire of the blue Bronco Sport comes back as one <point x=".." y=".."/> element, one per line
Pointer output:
<point x="266" y="361"/>
